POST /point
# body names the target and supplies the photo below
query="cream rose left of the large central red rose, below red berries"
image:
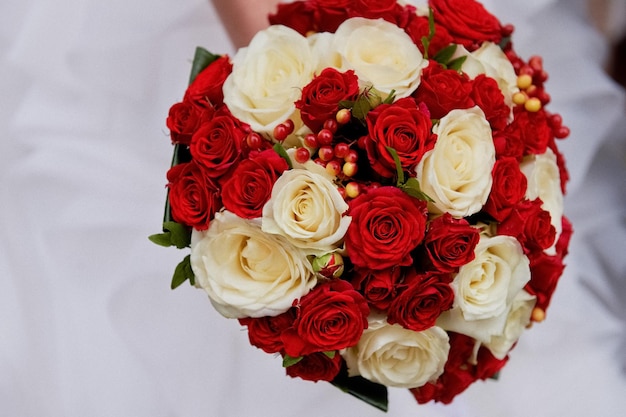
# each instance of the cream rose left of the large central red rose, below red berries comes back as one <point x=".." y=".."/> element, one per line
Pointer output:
<point x="307" y="210"/>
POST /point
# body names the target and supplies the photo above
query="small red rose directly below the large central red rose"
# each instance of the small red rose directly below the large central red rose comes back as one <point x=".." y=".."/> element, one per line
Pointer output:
<point x="378" y="287"/>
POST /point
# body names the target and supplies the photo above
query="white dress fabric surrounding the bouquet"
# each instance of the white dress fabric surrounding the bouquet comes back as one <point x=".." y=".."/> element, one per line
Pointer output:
<point x="88" y="325"/>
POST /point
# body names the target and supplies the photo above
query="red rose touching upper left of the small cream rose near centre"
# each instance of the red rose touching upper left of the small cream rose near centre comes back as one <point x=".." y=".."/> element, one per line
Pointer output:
<point x="249" y="187"/>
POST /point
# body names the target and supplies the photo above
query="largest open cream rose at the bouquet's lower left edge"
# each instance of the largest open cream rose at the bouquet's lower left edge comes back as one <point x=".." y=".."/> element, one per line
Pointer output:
<point x="246" y="272"/>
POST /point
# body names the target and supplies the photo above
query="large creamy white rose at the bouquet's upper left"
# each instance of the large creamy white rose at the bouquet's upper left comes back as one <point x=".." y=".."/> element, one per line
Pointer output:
<point x="267" y="78"/>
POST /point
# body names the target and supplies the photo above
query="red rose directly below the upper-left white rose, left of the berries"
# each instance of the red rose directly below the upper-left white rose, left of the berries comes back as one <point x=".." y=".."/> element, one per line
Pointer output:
<point x="216" y="145"/>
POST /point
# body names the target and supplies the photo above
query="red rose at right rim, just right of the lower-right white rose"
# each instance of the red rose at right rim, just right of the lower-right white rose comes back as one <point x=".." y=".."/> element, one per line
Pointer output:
<point x="545" y="271"/>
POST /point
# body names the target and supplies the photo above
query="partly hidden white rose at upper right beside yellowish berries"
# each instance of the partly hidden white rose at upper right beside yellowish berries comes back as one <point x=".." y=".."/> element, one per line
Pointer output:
<point x="491" y="61"/>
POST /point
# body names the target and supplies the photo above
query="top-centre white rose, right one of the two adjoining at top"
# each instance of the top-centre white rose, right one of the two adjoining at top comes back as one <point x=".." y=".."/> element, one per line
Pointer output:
<point x="381" y="54"/>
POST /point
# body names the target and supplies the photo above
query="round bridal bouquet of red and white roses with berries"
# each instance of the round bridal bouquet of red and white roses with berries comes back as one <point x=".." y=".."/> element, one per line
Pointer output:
<point x="375" y="191"/>
